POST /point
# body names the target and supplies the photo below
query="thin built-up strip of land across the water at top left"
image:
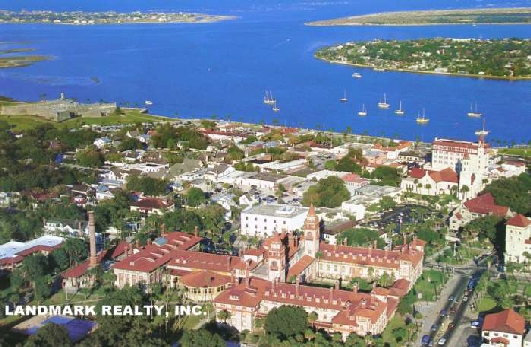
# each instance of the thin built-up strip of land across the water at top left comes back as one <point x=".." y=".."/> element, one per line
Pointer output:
<point x="111" y="17"/>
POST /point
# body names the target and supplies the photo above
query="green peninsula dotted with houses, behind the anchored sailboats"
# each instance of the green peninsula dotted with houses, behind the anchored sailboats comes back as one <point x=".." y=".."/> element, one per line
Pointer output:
<point x="501" y="59"/>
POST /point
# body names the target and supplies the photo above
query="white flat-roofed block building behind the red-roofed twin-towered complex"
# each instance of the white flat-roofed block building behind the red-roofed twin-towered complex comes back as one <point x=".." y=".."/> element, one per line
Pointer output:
<point x="264" y="220"/>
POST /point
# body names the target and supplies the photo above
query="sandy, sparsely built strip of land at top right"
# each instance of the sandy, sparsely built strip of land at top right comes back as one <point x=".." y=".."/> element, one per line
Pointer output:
<point x="436" y="17"/>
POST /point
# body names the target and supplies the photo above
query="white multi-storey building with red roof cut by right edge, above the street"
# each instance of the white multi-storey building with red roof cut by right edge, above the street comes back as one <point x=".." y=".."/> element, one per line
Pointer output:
<point x="518" y="239"/>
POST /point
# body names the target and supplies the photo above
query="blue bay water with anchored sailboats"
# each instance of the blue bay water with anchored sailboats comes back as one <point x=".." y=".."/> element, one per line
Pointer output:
<point x="222" y="69"/>
